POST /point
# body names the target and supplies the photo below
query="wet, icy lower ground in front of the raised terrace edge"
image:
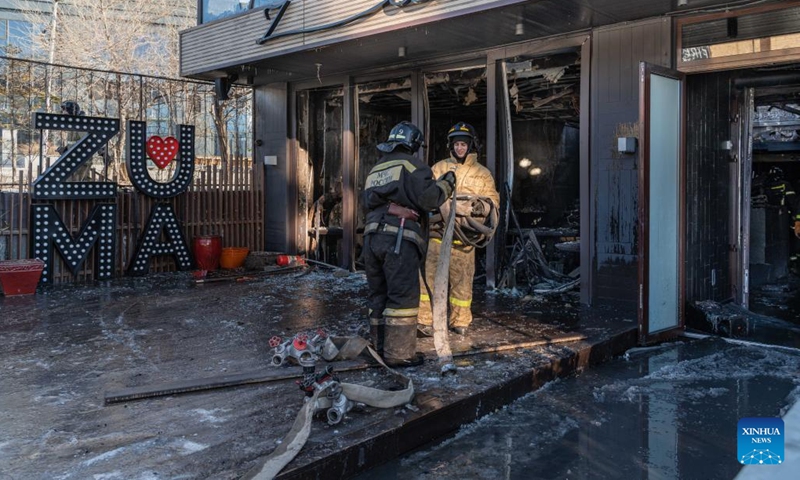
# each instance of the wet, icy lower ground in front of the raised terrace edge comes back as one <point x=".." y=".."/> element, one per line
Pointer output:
<point x="667" y="412"/>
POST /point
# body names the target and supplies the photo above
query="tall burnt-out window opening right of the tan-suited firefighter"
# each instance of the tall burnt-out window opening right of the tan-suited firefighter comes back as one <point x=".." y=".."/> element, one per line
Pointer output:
<point x="542" y="135"/>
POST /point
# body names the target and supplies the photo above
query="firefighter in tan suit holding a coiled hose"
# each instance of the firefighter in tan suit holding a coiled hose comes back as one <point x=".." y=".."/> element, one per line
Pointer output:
<point x="476" y="220"/>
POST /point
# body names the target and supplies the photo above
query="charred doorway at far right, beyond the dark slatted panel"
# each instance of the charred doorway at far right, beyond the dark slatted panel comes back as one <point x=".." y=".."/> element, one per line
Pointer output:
<point x="772" y="109"/>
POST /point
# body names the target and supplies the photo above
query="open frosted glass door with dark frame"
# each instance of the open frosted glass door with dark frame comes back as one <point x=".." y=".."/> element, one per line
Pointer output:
<point x="661" y="202"/>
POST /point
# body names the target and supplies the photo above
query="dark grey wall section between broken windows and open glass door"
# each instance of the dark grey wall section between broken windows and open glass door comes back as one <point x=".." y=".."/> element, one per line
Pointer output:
<point x="616" y="53"/>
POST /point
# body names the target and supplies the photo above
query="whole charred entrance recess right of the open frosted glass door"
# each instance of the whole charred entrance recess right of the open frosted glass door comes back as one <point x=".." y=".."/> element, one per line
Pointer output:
<point x="743" y="160"/>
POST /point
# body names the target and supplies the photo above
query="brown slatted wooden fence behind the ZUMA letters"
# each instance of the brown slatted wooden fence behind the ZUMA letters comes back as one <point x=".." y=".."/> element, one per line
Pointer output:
<point x="222" y="200"/>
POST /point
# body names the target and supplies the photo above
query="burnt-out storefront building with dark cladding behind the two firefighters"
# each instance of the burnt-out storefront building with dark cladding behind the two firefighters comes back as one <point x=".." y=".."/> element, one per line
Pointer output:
<point x="626" y="139"/>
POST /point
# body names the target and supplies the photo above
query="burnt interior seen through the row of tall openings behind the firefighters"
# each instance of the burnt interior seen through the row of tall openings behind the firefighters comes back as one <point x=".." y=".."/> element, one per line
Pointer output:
<point x="543" y="112"/>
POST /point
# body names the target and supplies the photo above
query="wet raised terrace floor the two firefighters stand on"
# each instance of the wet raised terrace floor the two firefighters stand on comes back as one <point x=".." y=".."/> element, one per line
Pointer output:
<point x="64" y="348"/>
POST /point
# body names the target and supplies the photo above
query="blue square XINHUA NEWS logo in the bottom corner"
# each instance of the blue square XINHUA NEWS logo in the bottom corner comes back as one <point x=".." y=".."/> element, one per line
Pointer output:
<point x="760" y="441"/>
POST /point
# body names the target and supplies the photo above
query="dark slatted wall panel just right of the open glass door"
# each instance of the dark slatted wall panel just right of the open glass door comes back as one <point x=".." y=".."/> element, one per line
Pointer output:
<point x="708" y="187"/>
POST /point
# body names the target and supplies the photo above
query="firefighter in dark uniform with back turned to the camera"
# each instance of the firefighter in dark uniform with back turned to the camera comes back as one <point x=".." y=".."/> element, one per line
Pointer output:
<point x="399" y="193"/>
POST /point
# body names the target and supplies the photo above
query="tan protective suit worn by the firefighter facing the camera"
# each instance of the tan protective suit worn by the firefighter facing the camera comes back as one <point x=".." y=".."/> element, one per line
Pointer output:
<point x="472" y="180"/>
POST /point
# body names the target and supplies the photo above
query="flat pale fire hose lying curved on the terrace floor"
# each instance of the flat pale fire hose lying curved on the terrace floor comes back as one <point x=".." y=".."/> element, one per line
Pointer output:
<point x="336" y="348"/>
